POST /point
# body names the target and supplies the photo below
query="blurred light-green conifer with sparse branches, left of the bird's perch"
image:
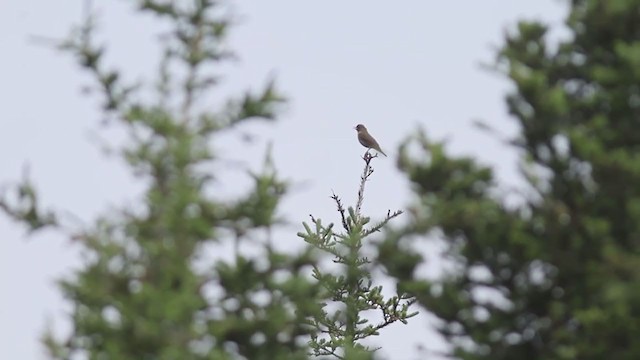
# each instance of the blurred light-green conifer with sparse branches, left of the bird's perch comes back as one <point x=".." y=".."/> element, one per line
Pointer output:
<point x="154" y="284"/>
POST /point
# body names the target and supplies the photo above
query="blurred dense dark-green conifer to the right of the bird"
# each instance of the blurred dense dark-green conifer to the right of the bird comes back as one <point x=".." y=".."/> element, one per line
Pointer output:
<point x="554" y="276"/>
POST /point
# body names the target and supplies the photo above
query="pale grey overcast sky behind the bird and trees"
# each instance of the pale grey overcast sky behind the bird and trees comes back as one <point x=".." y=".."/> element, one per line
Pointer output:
<point x="389" y="65"/>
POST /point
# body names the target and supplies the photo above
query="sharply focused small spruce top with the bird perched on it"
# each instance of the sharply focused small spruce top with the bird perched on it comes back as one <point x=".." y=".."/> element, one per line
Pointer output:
<point x="349" y="286"/>
